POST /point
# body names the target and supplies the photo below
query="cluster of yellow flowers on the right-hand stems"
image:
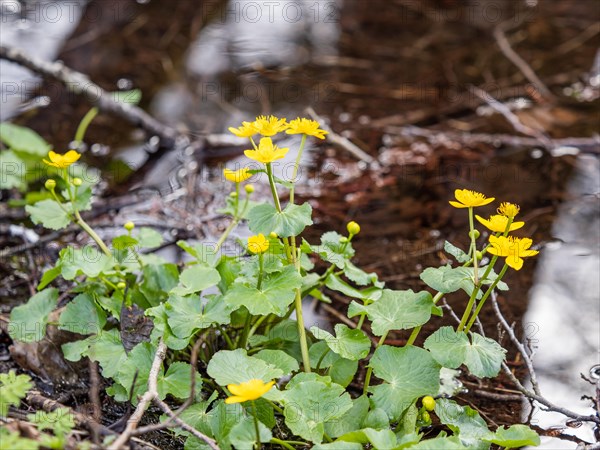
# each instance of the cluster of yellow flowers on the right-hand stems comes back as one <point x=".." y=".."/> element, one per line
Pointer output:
<point x="512" y="248"/>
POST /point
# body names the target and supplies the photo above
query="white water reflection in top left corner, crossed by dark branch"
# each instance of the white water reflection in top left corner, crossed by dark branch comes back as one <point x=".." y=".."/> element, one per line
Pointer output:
<point x="39" y="28"/>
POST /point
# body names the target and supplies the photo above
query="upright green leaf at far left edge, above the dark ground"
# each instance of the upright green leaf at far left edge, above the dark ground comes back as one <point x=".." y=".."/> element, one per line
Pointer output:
<point x="28" y="322"/>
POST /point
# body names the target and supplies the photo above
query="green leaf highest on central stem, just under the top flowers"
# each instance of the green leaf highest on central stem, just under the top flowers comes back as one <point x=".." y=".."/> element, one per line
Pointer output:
<point x="264" y="219"/>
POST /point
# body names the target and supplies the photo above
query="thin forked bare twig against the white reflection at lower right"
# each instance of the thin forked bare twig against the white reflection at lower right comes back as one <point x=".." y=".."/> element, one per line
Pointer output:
<point x="533" y="395"/>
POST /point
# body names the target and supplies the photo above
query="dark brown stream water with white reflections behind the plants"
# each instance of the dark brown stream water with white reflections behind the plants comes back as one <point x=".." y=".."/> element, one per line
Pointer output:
<point x="369" y="68"/>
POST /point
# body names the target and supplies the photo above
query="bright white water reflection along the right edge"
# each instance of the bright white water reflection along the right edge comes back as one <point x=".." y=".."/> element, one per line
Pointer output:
<point x="565" y="305"/>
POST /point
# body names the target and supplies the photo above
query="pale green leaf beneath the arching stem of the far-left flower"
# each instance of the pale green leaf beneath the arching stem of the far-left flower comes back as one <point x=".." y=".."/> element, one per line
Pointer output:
<point x="88" y="260"/>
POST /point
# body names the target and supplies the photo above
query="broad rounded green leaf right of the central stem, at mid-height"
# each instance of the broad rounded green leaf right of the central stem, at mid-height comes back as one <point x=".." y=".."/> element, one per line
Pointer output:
<point x="399" y="310"/>
